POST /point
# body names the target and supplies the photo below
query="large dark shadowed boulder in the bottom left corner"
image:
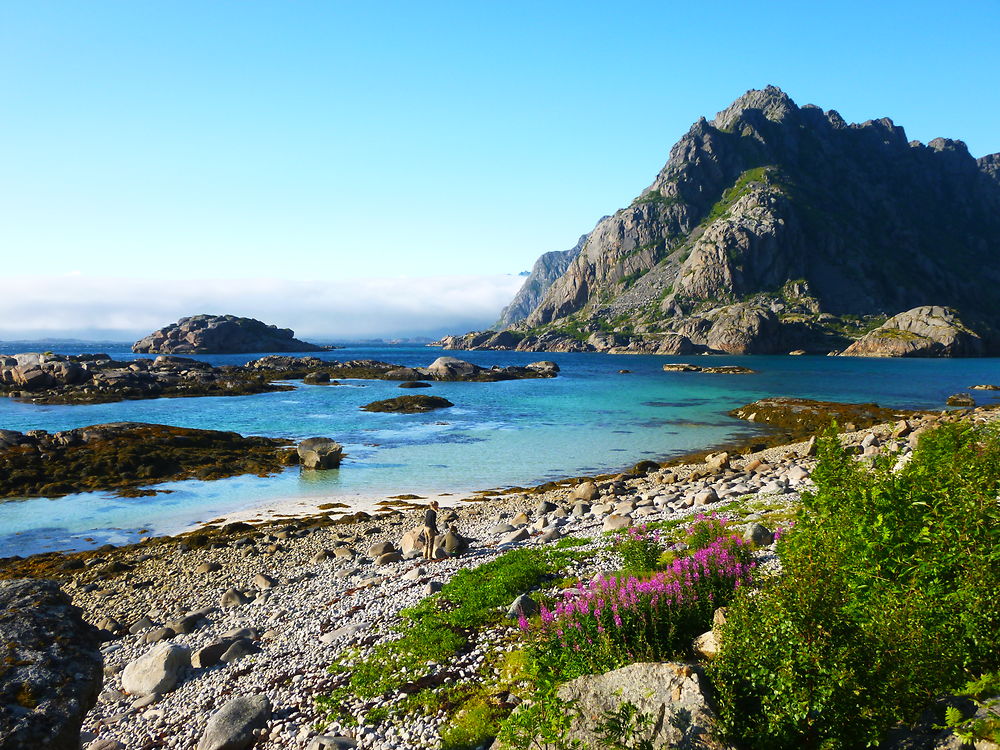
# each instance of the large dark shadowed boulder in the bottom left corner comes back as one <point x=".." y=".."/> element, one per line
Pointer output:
<point x="52" y="669"/>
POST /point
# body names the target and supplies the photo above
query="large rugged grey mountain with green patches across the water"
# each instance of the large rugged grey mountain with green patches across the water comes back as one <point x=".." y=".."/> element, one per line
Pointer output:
<point x="776" y="227"/>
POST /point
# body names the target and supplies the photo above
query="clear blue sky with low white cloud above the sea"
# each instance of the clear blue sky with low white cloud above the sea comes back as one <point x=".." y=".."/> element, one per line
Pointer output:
<point x="362" y="169"/>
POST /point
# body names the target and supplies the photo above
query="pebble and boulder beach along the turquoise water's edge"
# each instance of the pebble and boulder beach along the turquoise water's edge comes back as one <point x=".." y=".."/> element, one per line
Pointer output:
<point x="223" y="597"/>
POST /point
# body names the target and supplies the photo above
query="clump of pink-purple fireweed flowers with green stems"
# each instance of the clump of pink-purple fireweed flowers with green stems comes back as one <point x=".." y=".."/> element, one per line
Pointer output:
<point x="619" y="620"/>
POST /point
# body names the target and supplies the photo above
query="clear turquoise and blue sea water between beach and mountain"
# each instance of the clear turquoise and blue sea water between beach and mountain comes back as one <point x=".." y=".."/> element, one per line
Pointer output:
<point x="589" y="419"/>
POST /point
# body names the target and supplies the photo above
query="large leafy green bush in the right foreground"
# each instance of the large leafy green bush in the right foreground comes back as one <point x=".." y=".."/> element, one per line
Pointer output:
<point x="888" y="598"/>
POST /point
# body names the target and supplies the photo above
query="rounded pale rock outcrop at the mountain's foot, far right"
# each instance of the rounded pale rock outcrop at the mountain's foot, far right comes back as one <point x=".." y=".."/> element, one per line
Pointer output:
<point x="920" y="332"/>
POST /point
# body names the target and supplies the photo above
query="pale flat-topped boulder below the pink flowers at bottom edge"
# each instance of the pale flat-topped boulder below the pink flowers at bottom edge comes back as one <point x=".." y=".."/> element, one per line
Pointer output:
<point x="673" y="695"/>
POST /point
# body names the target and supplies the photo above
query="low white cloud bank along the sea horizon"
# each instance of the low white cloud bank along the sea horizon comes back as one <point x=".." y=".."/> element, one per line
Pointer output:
<point x="124" y="309"/>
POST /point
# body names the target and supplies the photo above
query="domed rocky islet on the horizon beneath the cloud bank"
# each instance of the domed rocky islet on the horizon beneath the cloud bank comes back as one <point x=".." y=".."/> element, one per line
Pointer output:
<point x="221" y="334"/>
